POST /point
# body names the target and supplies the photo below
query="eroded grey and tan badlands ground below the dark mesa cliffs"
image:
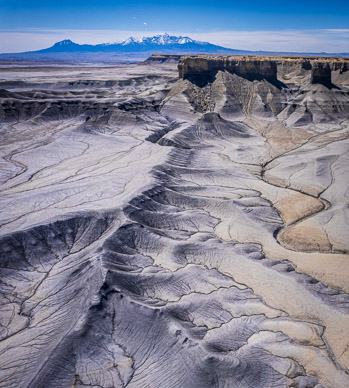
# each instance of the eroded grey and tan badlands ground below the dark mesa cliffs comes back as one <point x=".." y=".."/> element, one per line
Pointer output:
<point x="155" y="233"/>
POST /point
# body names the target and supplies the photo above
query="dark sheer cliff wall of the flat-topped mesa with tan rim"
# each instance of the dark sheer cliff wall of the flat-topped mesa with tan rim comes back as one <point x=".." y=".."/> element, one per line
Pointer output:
<point x="204" y="68"/>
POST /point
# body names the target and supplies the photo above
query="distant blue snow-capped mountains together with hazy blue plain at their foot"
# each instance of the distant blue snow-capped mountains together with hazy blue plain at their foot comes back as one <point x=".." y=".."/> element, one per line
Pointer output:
<point x="133" y="50"/>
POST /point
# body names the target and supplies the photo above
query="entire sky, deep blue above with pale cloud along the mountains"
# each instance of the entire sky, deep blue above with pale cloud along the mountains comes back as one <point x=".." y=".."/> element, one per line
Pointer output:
<point x="269" y="25"/>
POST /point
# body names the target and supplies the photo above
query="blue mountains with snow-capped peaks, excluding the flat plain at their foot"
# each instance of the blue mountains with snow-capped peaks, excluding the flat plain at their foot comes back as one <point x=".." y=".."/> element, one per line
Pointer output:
<point x="163" y="43"/>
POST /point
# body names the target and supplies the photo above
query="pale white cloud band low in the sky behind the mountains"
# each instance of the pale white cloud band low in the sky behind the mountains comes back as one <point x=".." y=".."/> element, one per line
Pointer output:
<point x="285" y="40"/>
